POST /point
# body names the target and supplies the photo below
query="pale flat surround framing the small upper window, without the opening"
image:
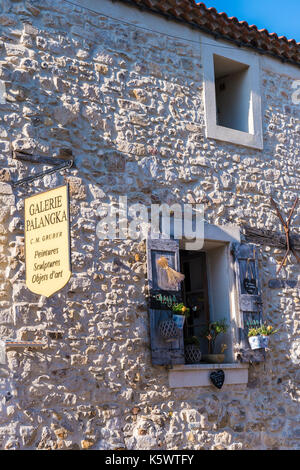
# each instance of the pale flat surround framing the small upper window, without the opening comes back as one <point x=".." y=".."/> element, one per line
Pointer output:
<point x="226" y="134"/>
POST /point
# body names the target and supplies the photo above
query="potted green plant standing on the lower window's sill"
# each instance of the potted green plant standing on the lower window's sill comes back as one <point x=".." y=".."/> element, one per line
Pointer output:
<point x="213" y="331"/>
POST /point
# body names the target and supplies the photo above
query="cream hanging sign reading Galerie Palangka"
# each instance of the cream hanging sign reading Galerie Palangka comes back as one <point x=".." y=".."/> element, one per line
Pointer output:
<point x="47" y="241"/>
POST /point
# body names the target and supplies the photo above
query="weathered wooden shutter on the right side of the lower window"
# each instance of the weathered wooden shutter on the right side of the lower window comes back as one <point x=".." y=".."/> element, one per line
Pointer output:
<point x="249" y="297"/>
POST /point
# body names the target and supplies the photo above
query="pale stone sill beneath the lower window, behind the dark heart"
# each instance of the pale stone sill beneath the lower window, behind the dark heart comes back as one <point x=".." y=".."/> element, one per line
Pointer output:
<point x="197" y="375"/>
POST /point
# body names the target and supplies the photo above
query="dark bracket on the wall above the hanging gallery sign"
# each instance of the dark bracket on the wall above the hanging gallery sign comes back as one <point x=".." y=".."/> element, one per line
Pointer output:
<point x="56" y="163"/>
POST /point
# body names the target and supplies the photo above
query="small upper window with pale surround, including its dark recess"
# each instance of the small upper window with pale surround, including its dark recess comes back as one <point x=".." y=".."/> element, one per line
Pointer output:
<point x="232" y="95"/>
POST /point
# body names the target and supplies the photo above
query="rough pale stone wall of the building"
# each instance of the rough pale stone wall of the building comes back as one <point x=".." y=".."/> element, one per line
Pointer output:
<point x="128" y="103"/>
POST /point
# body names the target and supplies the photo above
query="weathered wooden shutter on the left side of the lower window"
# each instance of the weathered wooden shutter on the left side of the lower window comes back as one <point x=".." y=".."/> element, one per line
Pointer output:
<point x="160" y="301"/>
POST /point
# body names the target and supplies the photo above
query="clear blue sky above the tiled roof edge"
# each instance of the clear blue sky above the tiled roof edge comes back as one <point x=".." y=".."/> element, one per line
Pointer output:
<point x="277" y="16"/>
